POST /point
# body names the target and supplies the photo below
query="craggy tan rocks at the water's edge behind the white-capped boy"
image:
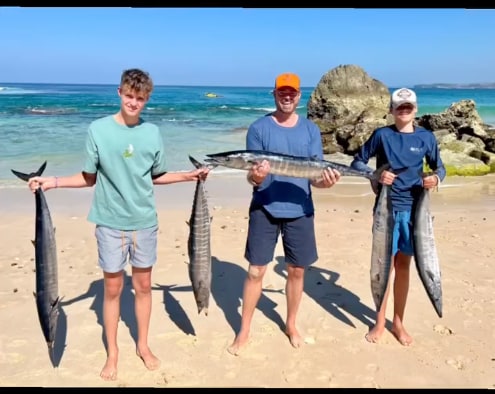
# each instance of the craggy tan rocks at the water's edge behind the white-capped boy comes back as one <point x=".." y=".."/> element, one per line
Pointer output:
<point x="347" y="105"/>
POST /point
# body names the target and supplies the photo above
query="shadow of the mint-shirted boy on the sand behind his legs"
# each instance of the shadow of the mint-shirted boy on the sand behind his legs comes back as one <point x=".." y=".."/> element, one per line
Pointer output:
<point x="127" y="315"/>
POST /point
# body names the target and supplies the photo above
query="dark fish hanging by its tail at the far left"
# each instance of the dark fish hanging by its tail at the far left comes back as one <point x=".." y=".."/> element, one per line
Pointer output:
<point x="47" y="299"/>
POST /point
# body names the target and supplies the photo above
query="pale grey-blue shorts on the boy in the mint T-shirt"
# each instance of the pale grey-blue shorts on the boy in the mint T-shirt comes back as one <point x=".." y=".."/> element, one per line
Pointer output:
<point x="116" y="246"/>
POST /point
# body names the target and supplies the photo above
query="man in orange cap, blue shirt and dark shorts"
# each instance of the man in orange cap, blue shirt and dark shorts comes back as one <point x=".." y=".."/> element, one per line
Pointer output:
<point x="281" y="205"/>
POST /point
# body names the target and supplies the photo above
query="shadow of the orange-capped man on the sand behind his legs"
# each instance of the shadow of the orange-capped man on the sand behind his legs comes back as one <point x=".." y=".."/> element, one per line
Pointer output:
<point x="227" y="287"/>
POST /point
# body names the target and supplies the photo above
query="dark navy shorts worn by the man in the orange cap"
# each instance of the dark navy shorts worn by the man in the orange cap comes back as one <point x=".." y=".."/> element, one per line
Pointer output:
<point x="298" y="238"/>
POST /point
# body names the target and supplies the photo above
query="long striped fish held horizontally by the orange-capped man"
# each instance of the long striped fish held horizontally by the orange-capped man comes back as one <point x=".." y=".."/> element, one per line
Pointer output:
<point x="282" y="164"/>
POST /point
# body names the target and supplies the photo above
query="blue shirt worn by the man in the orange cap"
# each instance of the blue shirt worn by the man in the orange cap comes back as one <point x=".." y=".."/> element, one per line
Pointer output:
<point x="283" y="196"/>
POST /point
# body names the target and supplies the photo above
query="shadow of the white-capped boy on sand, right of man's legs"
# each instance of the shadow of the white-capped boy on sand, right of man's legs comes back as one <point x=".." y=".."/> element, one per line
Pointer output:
<point x="321" y="285"/>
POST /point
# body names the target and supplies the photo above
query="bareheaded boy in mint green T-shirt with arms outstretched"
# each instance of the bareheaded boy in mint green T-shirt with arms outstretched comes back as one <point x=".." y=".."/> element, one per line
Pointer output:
<point x="124" y="158"/>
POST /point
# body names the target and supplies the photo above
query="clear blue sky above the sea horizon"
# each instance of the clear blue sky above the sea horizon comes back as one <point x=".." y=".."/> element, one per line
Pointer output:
<point x="245" y="47"/>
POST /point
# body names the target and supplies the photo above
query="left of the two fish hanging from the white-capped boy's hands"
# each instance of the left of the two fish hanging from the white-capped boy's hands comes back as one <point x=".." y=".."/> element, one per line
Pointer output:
<point x="381" y="252"/>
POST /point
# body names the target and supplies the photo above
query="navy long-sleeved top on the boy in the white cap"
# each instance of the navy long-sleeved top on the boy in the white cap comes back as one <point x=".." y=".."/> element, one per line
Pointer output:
<point x="406" y="154"/>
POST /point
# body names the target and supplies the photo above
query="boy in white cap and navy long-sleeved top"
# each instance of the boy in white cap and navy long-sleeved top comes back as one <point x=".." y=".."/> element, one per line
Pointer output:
<point x="405" y="147"/>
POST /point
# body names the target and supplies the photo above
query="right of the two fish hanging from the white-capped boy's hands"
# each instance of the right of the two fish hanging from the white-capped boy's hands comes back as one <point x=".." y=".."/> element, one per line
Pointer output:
<point x="425" y="251"/>
